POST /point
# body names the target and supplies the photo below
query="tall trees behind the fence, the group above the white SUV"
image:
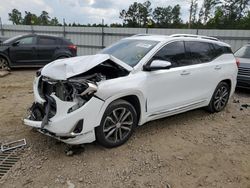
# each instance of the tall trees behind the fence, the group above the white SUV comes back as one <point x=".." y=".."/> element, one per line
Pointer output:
<point x="219" y="14"/>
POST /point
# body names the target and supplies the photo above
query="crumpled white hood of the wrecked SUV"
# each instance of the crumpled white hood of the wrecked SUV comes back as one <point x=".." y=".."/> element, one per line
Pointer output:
<point x="62" y="69"/>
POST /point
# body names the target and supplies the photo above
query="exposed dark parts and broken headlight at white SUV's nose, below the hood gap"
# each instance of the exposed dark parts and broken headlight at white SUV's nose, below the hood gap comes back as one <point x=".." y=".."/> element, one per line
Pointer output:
<point x="75" y="91"/>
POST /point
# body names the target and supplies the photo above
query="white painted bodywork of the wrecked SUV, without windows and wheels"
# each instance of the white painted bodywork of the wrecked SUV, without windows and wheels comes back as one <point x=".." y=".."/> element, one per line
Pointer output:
<point x="161" y="93"/>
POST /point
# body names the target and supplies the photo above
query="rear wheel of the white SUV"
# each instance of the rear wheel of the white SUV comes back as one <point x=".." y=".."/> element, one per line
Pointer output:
<point x="220" y="98"/>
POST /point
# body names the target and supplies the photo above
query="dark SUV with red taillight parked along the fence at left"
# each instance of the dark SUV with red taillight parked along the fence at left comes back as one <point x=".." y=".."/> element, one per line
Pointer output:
<point x="34" y="50"/>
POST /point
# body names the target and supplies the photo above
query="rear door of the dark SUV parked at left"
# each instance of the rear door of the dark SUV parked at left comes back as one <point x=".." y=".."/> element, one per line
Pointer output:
<point x="46" y="48"/>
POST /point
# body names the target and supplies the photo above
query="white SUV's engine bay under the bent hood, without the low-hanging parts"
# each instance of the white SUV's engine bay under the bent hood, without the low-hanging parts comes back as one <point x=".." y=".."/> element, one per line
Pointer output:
<point x="82" y="86"/>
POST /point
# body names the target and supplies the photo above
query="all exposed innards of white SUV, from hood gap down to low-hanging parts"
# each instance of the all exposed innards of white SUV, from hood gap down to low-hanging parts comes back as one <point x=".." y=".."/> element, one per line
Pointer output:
<point x="78" y="89"/>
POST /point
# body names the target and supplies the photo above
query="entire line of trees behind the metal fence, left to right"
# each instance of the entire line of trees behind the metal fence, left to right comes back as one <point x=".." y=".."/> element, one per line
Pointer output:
<point x="212" y="14"/>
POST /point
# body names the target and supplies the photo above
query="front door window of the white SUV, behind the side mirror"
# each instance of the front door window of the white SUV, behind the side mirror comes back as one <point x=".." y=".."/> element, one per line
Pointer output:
<point x="174" y="53"/>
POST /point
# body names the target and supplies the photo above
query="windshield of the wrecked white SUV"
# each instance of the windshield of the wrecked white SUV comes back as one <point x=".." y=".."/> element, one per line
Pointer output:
<point x="130" y="51"/>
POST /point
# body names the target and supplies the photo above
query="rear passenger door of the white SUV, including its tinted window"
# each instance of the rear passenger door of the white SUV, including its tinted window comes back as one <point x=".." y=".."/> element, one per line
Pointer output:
<point x="204" y="72"/>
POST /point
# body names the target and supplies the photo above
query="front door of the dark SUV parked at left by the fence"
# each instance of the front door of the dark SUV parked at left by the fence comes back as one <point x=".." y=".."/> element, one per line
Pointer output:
<point x="23" y="52"/>
